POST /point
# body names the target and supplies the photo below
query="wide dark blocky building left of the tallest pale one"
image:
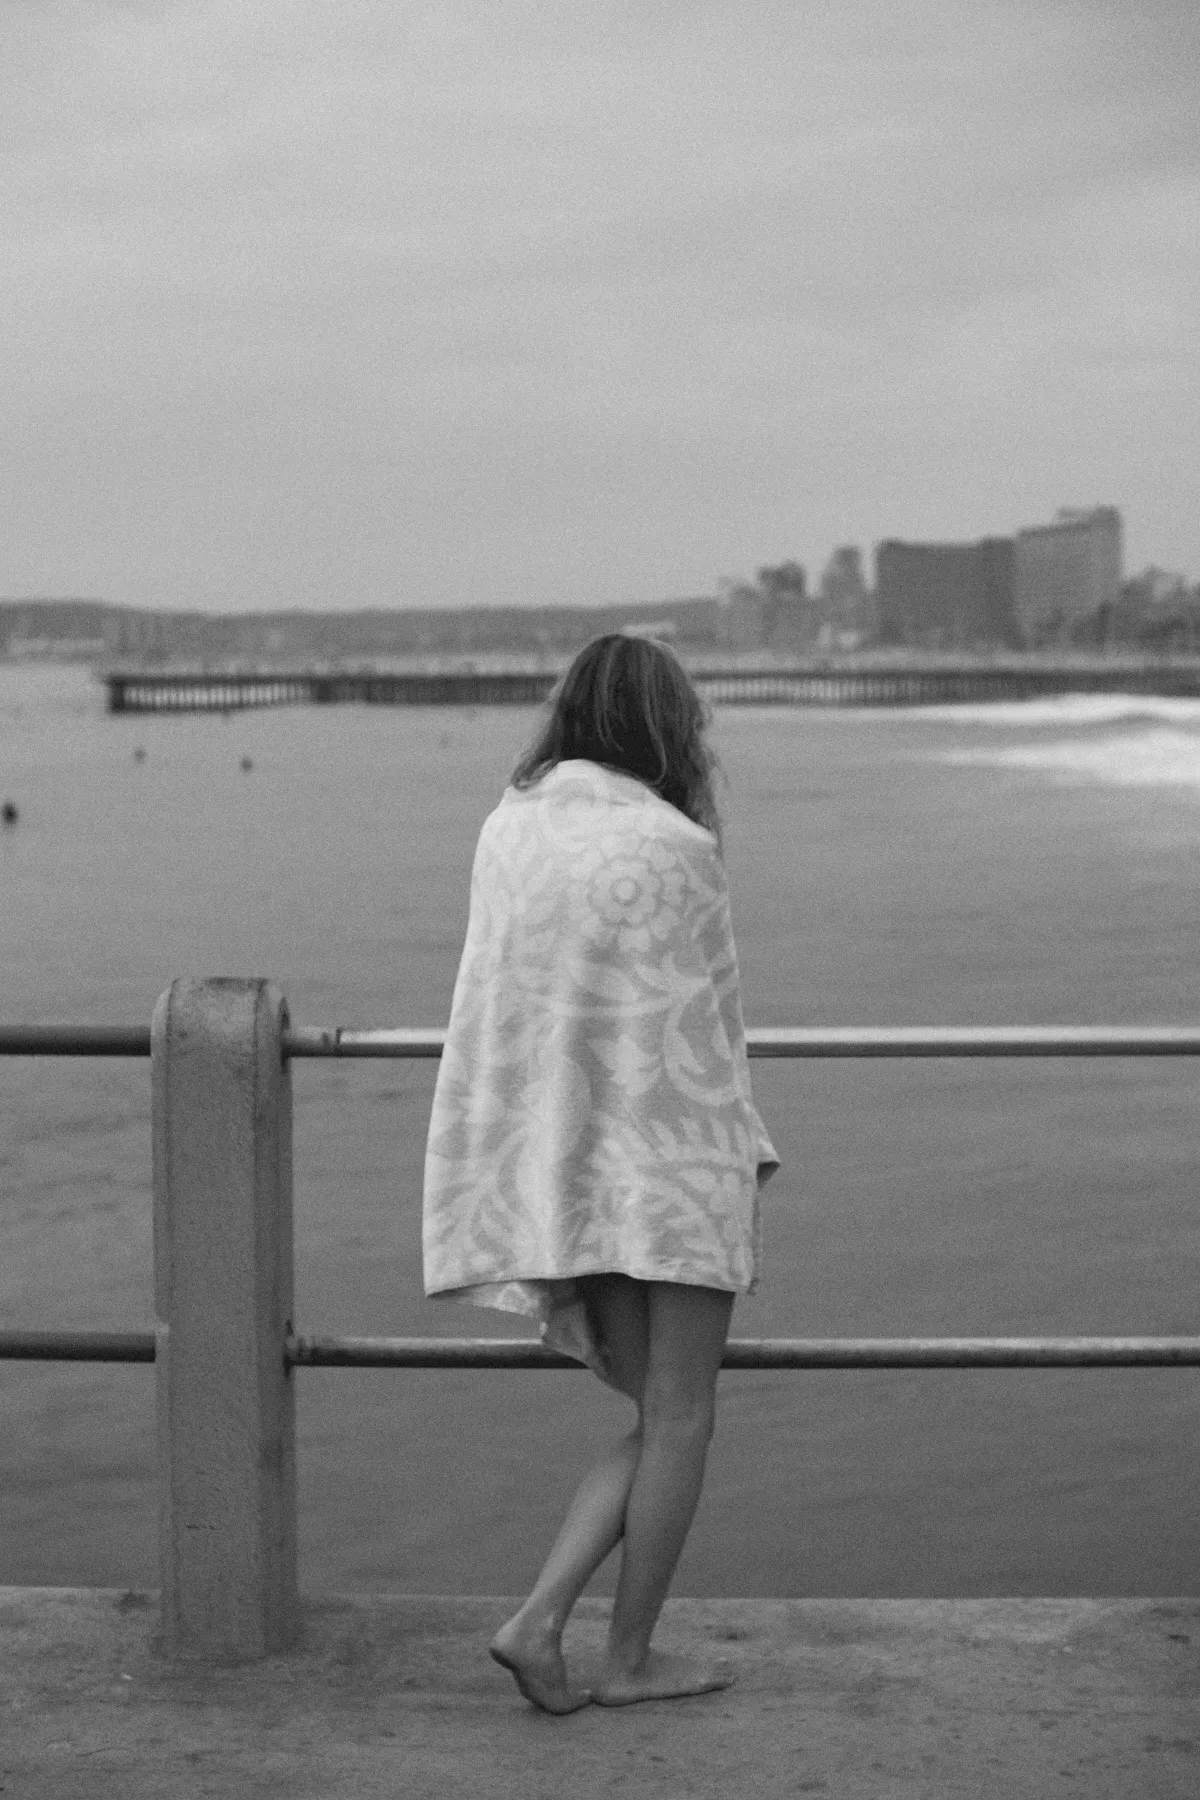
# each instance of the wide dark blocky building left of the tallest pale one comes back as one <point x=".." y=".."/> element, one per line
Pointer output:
<point x="945" y="597"/>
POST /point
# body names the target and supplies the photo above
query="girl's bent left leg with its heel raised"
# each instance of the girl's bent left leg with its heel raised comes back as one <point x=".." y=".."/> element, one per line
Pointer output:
<point x="532" y="1644"/>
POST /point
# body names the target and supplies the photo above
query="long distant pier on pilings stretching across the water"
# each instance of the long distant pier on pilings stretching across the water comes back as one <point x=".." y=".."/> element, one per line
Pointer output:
<point x="796" y="685"/>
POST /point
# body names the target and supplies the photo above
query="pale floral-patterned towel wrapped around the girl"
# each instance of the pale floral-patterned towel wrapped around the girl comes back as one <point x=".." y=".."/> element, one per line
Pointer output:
<point x="593" y="1106"/>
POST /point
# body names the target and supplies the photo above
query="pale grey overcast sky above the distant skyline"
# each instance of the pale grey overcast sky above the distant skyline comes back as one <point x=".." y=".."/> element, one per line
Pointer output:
<point x="363" y="303"/>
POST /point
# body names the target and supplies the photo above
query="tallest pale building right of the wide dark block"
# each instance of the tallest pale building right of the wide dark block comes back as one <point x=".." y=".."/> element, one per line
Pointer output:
<point x="1068" y="571"/>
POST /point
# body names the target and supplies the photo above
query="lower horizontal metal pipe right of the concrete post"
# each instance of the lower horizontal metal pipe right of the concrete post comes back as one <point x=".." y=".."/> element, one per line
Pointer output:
<point x="769" y="1353"/>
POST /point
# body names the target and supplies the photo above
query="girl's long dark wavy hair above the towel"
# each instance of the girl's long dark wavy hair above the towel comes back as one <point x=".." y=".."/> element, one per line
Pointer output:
<point x="629" y="703"/>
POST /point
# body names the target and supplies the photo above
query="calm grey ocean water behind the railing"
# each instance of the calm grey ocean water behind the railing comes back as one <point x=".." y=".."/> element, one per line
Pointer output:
<point x="1028" y="863"/>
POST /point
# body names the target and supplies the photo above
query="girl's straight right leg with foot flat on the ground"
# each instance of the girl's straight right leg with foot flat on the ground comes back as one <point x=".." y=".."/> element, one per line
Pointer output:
<point x="688" y="1329"/>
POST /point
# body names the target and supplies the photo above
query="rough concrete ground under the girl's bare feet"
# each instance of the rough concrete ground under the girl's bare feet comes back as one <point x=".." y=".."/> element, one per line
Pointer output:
<point x="397" y="1696"/>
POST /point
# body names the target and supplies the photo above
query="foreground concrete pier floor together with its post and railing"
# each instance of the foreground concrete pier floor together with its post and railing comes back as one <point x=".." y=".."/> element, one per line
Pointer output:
<point x="231" y="1678"/>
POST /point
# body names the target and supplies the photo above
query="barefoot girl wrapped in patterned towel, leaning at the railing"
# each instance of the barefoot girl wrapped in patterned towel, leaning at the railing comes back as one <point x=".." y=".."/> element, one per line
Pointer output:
<point x="595" y="1155"/>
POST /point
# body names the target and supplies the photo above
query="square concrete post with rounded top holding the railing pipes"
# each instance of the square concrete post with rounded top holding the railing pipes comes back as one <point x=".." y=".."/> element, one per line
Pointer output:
<point x="222" y="1158"/>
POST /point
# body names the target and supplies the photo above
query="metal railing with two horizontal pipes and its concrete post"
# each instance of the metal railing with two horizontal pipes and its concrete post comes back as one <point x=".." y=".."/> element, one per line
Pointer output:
<point x="226" y="1344"/>
